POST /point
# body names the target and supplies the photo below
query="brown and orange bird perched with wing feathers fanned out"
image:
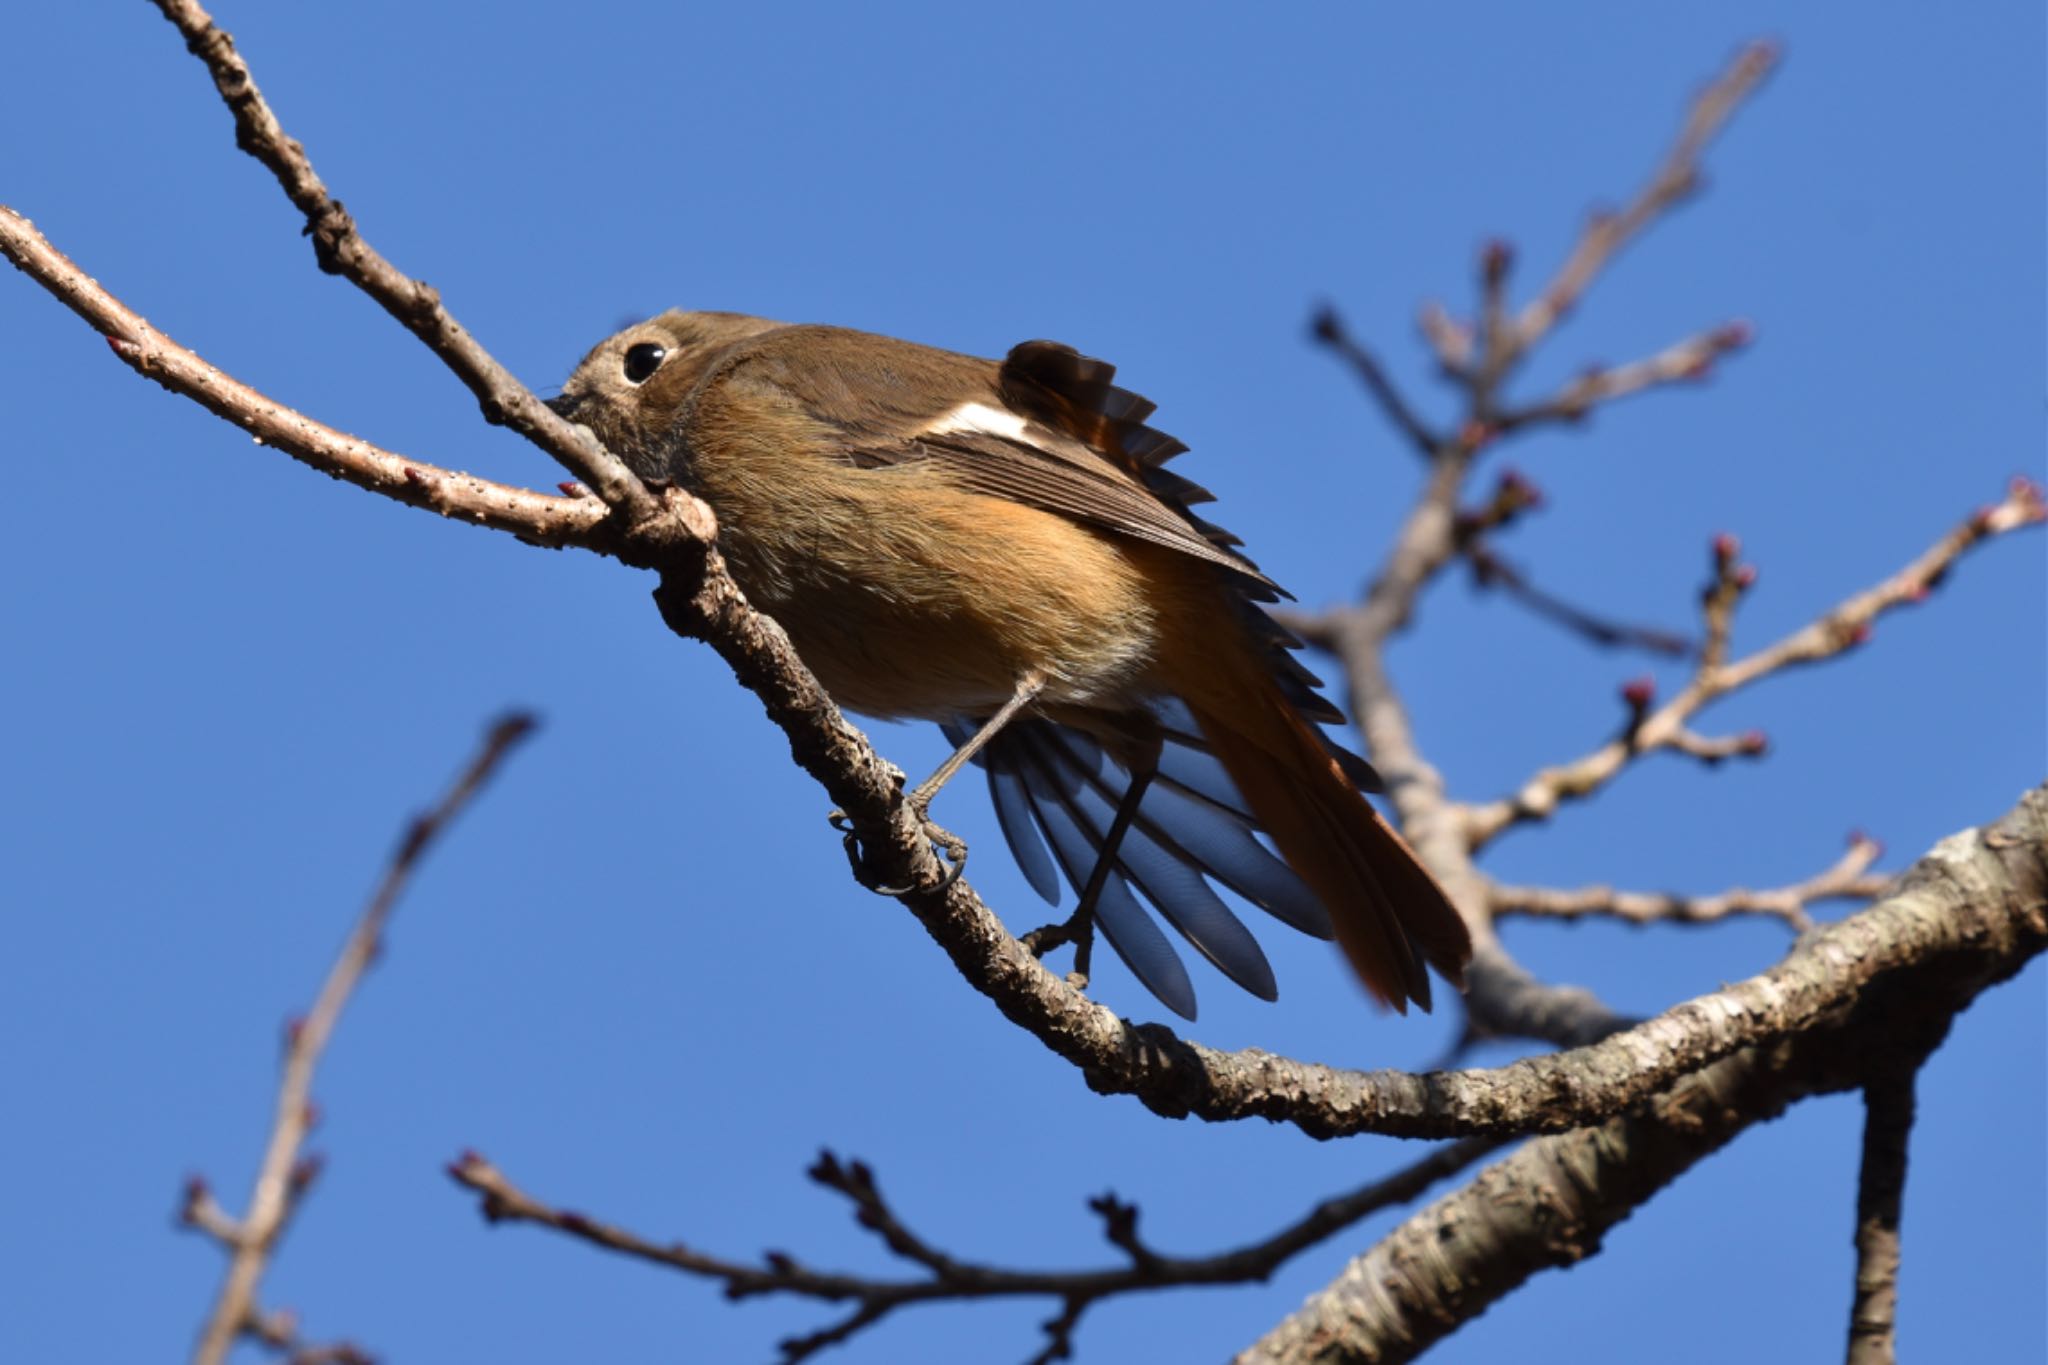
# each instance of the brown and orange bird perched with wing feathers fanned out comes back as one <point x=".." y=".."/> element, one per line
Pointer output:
<point x="998" y="547"/>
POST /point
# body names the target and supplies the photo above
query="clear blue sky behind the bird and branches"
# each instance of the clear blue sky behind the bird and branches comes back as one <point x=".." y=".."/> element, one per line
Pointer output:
<point x="638" y="975"/>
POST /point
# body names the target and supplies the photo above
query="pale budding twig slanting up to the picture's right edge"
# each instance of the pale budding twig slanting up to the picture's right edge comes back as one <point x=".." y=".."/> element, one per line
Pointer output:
<point x="1834" y="633"/>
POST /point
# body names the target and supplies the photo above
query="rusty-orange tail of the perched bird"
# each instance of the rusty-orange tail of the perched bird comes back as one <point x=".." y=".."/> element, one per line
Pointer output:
<point x="1390" y="914"/>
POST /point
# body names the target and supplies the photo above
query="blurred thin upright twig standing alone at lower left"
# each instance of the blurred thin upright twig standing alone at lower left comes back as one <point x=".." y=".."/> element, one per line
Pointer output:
<point x="286" y="1176"/>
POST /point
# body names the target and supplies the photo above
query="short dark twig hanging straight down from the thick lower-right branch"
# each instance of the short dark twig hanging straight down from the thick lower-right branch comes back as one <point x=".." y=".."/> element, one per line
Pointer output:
<point x="1879" y="1200"/>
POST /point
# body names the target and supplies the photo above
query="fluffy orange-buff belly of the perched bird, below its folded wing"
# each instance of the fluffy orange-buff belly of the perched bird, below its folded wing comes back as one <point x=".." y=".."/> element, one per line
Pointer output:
<point x="941" y="605"/>
